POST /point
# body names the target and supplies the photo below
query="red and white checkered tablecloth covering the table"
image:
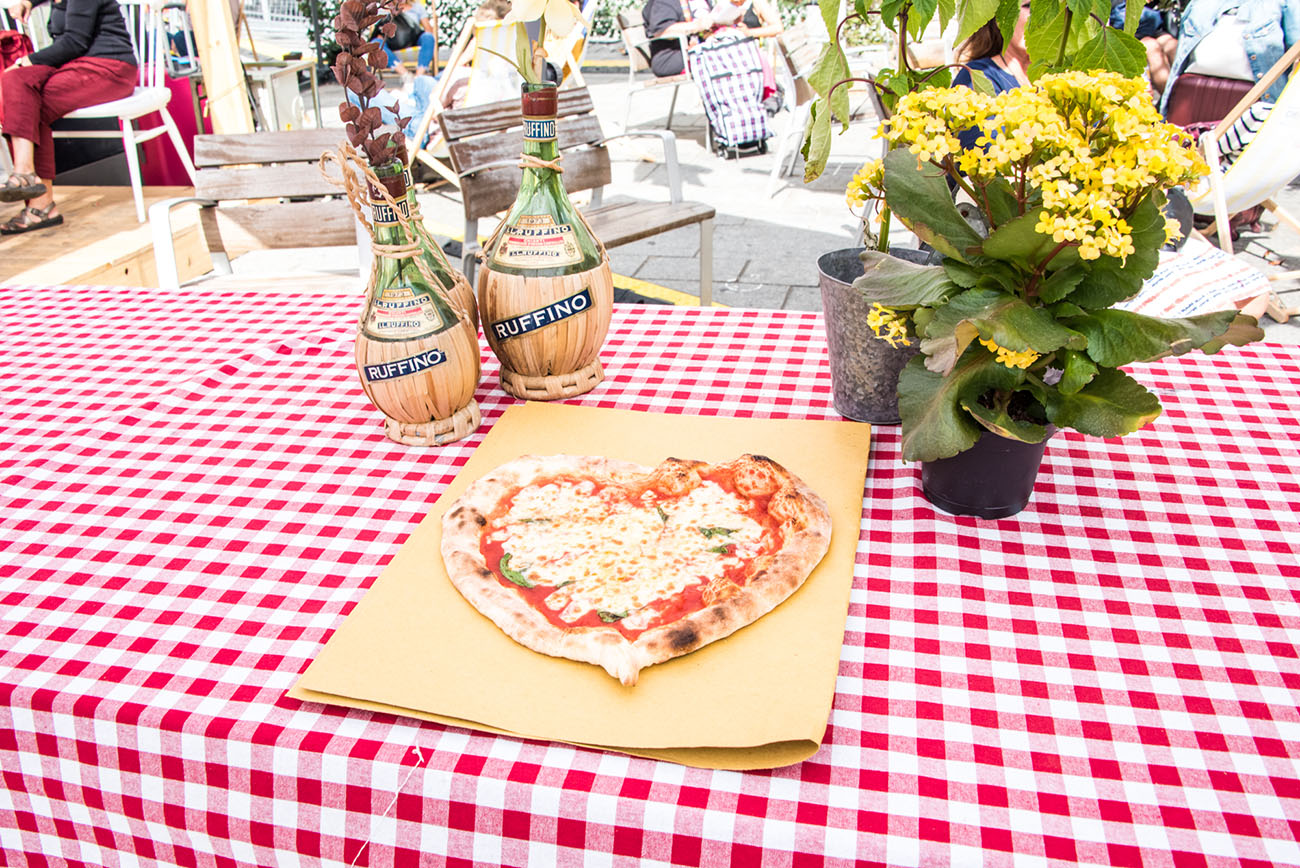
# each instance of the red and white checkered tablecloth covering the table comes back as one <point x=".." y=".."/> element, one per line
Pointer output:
<point x="196" y="493"/>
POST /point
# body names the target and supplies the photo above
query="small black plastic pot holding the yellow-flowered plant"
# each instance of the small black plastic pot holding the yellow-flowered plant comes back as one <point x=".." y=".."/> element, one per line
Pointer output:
<point x="991" y="480"/>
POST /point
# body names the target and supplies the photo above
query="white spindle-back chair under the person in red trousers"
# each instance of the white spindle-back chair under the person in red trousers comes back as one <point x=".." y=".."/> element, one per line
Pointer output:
<point x="149" y="37"/>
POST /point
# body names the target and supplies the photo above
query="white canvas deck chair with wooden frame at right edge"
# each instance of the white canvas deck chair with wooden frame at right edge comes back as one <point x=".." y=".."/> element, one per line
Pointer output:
<point x="1264" y="168"/>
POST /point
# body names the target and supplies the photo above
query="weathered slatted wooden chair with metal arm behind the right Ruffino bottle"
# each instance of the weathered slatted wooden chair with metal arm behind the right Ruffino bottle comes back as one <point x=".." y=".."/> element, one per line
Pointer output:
<point x="486" y="144"/>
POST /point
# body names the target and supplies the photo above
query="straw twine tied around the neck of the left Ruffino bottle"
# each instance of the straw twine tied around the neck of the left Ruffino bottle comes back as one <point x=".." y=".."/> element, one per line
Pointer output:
<point x="354" y="176"/>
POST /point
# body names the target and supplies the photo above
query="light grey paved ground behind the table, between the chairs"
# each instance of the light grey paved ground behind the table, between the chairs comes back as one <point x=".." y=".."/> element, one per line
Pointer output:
<point x="769" y="233"/>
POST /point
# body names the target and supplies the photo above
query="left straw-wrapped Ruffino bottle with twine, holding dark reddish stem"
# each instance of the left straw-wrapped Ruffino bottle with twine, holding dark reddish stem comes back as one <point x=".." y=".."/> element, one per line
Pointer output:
<point x="417" y="353"/>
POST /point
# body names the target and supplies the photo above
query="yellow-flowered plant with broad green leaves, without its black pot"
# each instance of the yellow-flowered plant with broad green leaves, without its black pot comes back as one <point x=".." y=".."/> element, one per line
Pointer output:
<point x="1058" y="216"/>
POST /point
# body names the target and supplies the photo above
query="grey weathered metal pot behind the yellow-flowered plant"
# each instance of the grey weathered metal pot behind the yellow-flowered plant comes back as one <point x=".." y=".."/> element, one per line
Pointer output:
<point x="864" y="368"/>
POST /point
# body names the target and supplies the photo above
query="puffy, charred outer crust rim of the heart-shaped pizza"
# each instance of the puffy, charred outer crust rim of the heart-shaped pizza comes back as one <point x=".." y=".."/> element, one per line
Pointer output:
<point x="807" y="536"/>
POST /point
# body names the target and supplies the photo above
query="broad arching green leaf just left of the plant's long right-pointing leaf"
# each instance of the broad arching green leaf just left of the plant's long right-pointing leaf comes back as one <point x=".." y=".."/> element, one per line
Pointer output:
<point x="991" y="315"/>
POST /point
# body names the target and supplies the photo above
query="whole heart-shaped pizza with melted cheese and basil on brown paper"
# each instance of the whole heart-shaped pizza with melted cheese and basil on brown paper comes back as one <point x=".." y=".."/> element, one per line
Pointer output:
<point x="625" y="566"/>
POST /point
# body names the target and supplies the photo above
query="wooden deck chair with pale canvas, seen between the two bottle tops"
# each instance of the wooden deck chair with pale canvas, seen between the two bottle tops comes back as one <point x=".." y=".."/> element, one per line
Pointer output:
<point x="491" y="79"/>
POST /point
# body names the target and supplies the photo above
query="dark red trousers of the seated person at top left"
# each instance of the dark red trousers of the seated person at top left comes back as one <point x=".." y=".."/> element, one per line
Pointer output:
<point x="37" y="97"/>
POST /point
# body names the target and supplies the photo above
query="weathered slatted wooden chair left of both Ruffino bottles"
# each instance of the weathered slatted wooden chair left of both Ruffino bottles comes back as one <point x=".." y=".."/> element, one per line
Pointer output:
<point x="258" y="192"/>
